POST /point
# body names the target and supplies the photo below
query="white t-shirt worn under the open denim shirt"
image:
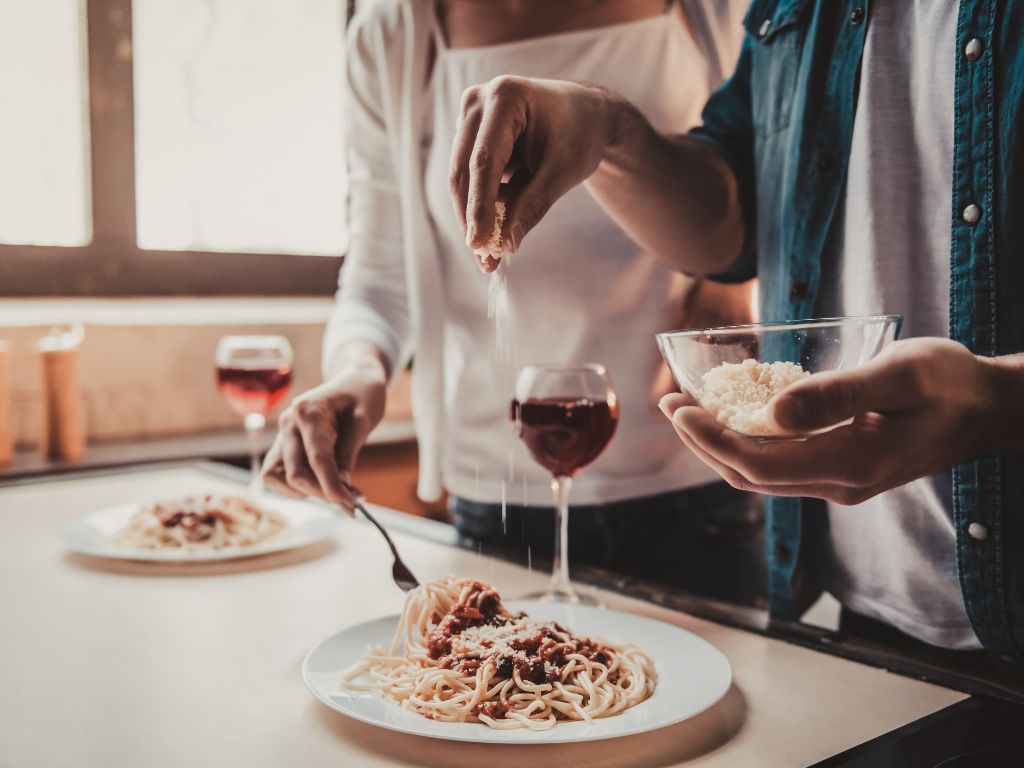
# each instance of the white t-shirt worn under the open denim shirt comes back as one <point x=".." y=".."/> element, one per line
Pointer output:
<point x="894" y="558"/>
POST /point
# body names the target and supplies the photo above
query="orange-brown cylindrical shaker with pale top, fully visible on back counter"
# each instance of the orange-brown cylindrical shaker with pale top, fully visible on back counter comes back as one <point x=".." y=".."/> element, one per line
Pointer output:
<point x="64" y="431"/>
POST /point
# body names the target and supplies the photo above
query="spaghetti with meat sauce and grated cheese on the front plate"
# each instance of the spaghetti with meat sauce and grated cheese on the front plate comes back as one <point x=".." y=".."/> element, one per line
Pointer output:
<point x="458" y="656"/>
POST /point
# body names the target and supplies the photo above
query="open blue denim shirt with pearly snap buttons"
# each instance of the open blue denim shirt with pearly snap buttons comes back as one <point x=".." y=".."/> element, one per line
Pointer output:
<point x="785" y="122"/>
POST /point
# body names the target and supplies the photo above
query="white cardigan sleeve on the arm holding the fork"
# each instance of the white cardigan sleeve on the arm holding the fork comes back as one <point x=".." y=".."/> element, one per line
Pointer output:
<point x="372" y="303"/>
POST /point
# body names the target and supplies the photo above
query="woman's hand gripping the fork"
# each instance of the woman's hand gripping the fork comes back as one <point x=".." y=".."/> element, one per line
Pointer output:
<point x="323" y="432"/>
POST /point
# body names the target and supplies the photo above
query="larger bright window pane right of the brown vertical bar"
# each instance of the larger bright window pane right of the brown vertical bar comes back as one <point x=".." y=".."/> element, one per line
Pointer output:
<point x="238" y="125"/>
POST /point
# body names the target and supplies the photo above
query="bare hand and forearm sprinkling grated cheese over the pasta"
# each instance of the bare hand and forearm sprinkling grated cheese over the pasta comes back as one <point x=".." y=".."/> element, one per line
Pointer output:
<point x="676" y="197"/>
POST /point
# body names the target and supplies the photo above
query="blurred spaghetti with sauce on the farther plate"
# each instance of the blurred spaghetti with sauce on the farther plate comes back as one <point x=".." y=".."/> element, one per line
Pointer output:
<point x="207" y="523"/>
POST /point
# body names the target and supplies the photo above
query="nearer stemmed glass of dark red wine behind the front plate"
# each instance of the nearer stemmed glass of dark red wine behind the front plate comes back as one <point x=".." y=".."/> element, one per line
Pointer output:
<point x="567" y="417"/>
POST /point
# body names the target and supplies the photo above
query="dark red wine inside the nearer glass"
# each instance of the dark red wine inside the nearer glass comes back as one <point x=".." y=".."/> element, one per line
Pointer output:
<point x="565" y="435"/>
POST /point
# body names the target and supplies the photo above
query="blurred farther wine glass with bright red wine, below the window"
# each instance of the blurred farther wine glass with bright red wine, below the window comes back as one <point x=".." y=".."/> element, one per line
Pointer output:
<point x="254" y="374"/>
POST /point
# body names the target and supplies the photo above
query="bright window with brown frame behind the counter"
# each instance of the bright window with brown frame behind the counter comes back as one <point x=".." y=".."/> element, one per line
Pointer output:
<point x="160" y="147"/>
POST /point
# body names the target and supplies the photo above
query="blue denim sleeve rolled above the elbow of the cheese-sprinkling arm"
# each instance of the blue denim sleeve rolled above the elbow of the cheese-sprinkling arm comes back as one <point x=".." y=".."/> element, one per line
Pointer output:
<point x="728" y="125"/>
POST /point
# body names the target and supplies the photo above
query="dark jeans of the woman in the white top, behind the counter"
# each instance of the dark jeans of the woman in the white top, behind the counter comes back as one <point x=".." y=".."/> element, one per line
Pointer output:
<point x="708" y="540"/>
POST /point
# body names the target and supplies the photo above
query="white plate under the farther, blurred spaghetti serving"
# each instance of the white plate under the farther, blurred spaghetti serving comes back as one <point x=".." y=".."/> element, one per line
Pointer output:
<point x="307" y="524"/>
